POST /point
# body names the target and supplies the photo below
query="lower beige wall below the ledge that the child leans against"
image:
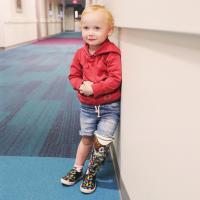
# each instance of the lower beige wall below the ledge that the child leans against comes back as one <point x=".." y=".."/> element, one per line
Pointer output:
<point x="159" y="155"/>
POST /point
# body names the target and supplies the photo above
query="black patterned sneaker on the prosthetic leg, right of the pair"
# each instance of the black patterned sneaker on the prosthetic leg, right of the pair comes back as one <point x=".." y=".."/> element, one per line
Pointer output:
<point x="89" y="183"/>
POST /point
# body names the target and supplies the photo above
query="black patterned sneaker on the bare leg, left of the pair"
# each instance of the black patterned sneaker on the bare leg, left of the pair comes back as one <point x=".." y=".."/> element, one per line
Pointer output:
<point x="72" y="177"/>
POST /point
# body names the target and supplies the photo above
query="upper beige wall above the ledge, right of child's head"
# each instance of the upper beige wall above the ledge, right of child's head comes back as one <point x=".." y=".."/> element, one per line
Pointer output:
<point x="171" y="15"/>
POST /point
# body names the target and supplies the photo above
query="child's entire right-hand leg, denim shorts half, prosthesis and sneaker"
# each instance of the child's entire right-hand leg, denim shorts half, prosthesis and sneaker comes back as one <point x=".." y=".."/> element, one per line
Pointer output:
<point x="108" y="119"/>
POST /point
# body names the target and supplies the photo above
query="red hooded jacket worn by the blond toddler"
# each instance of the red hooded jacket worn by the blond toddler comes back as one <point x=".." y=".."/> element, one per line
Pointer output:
<point x="103" y="68"/>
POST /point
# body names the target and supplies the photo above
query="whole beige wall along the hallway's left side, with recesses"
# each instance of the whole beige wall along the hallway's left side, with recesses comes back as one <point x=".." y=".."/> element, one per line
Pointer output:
<point x="21" y="27"/>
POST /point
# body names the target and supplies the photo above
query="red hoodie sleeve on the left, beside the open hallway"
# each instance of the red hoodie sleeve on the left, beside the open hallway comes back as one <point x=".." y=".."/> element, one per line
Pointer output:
<point x="75" y="75"/>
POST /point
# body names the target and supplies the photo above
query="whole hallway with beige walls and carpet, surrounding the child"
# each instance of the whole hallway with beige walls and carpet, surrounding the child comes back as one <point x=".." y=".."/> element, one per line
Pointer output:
<point x="155" y="153"/>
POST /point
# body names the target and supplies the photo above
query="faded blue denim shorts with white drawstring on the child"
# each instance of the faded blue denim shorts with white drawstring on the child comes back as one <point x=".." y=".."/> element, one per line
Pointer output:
<point x="103" y="119"/>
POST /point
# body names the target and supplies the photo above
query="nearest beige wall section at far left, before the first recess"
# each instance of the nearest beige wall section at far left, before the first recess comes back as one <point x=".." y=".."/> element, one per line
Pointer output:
<point x="19" y="27"/>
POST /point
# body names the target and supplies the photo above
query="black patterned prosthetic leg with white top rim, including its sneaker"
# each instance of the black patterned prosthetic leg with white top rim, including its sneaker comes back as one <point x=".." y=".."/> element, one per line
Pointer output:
<point x="98" y="156"/>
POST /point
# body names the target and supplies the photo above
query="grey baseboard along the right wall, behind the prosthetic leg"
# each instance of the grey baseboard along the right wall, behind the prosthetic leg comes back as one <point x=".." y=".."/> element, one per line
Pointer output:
<point x="123" y="192"/>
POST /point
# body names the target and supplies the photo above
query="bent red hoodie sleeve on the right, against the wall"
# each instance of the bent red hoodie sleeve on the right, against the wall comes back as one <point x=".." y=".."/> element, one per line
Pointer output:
<point x="114" y="79"/>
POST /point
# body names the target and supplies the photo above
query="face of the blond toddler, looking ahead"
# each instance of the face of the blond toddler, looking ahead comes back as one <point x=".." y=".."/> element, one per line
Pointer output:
<point x="95" y="29"/>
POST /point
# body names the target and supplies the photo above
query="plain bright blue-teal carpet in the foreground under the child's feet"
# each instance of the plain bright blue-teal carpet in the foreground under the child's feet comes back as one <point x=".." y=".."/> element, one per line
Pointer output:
<point x="37" y="178"/>
